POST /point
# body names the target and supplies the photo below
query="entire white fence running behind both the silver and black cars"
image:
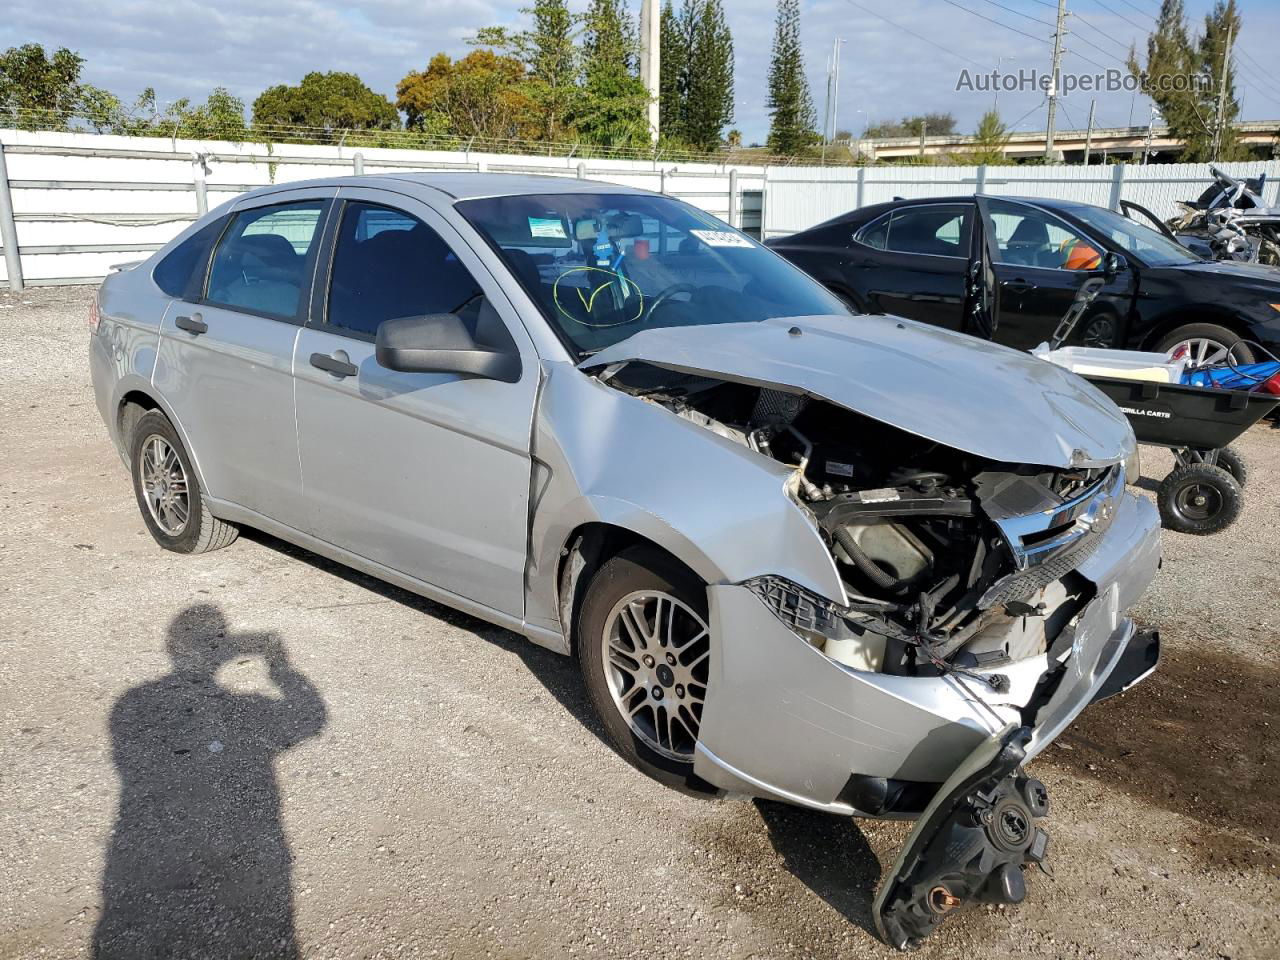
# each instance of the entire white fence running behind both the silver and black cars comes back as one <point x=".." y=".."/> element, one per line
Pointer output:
<point x="81" y="203"/>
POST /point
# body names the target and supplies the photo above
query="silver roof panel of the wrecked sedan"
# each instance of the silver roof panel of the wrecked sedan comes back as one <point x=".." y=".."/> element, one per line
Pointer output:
<point x="463" y="185"/>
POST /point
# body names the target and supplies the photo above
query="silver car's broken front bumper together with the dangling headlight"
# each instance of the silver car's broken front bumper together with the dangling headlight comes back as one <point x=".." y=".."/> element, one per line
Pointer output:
<point x="797" y="726"/>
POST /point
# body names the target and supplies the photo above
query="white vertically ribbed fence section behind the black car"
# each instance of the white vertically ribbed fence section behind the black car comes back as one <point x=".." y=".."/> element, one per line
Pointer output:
<point x="798" y="198"/>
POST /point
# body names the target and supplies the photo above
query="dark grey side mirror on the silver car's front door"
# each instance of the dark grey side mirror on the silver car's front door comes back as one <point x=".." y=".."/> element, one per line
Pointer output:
<point x="442" y="344"/>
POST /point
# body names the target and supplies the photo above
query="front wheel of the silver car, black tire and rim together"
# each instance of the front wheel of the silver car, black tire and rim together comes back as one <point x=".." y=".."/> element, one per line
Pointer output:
<point x="644" y="650"/>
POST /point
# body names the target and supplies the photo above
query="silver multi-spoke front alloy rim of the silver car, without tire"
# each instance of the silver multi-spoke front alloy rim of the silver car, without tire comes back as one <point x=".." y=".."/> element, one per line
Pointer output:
<point x="657" y="656"/>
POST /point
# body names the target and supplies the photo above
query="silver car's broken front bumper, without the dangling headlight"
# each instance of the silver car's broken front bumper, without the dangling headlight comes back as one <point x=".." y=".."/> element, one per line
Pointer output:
<point x="793" y="725"/>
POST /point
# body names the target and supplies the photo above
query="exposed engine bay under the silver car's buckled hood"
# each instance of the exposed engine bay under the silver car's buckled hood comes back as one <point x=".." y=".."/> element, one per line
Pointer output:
<point x="952" y="564"/>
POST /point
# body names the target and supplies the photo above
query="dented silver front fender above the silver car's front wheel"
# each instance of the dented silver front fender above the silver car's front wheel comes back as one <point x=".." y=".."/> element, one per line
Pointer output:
<point x="604" y="456"/>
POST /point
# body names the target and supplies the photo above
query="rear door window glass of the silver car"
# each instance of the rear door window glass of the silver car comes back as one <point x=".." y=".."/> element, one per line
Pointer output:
<point x="262" y="264"/>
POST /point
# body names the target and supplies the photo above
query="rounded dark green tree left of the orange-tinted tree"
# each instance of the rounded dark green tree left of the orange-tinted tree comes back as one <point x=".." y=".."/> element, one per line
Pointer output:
<point x="327" y="103"/>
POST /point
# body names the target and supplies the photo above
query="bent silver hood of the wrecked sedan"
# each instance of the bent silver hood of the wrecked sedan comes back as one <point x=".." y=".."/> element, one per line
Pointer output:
<point x="967" y="394"/>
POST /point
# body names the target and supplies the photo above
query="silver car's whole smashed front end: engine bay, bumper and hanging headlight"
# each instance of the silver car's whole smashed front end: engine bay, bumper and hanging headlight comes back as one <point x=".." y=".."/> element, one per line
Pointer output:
<point x="984" y="610"/>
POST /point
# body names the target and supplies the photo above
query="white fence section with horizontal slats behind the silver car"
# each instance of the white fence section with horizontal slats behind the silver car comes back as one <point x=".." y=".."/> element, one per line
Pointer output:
<point x="81" y="203"/>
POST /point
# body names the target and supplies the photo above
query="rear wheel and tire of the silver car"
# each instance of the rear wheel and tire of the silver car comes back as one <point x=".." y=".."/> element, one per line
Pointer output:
<point x="168" y="493"/>
